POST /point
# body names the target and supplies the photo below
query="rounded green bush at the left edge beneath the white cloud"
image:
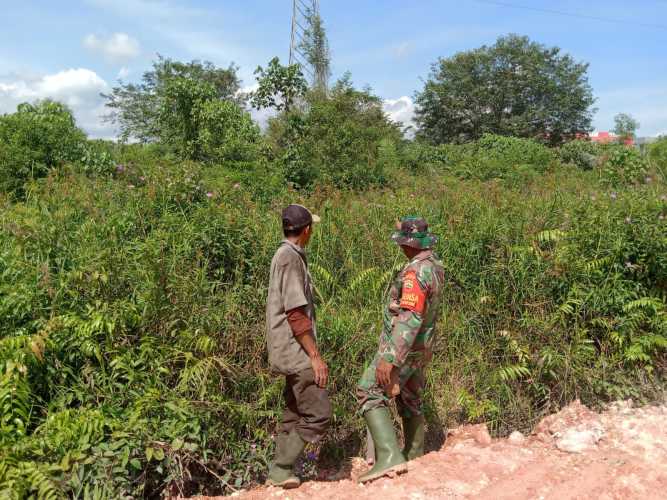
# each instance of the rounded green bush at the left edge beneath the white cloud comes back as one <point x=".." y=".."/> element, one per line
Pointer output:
<point x="35" y="139"/>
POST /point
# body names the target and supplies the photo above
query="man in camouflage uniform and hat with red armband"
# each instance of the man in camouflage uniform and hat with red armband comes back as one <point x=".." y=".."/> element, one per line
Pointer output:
<point x="397" y="370"/>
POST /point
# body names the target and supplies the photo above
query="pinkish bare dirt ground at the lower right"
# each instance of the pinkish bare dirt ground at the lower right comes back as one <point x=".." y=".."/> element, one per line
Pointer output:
<point x="576" y="453"/>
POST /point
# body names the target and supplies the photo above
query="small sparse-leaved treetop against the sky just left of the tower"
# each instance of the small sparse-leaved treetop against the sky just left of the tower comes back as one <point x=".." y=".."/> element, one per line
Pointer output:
<point x="279" y="86"/>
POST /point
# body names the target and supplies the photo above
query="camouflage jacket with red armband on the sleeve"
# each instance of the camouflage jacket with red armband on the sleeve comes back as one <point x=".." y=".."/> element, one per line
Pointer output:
<point x="411" y="310"/>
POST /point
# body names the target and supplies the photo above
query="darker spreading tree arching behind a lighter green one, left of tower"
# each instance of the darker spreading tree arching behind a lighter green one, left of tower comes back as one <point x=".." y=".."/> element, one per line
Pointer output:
<point x="135" y="108"/>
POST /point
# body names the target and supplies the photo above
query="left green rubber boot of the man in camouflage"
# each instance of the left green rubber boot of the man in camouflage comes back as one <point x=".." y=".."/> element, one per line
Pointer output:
<point x="388" y="457"/>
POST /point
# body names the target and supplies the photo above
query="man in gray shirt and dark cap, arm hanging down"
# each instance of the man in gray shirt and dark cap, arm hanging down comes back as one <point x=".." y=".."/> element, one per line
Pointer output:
<point x="292" y="345"/>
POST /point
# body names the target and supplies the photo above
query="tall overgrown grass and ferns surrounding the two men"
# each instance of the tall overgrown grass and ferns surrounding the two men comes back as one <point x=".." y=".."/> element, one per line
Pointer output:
<point x="132" y="350"/>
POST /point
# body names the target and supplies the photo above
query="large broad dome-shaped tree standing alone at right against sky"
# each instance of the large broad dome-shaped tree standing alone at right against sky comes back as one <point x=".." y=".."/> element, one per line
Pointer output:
<point x="515" y="87"/>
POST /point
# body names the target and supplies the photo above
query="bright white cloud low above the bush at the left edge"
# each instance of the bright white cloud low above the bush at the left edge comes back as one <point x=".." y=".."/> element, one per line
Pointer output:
<point x="77" y="88"/>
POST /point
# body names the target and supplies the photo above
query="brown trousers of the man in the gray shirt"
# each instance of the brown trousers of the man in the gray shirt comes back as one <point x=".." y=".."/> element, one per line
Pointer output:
<point x="307" y="407"/>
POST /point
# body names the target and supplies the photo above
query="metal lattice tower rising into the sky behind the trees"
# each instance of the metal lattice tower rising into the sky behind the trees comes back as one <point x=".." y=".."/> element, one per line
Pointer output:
<point x="303" y="11"/>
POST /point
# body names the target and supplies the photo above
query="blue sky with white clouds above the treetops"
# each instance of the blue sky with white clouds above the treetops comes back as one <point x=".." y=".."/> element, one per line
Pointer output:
<point x="73" y="50"/>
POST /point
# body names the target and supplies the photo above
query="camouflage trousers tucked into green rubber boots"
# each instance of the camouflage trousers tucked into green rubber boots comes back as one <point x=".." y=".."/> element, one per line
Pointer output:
<point x="411" y="382"/>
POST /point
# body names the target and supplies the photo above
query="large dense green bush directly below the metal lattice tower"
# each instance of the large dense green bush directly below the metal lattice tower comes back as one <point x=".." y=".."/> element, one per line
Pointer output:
<point x="336" y="139"/>
